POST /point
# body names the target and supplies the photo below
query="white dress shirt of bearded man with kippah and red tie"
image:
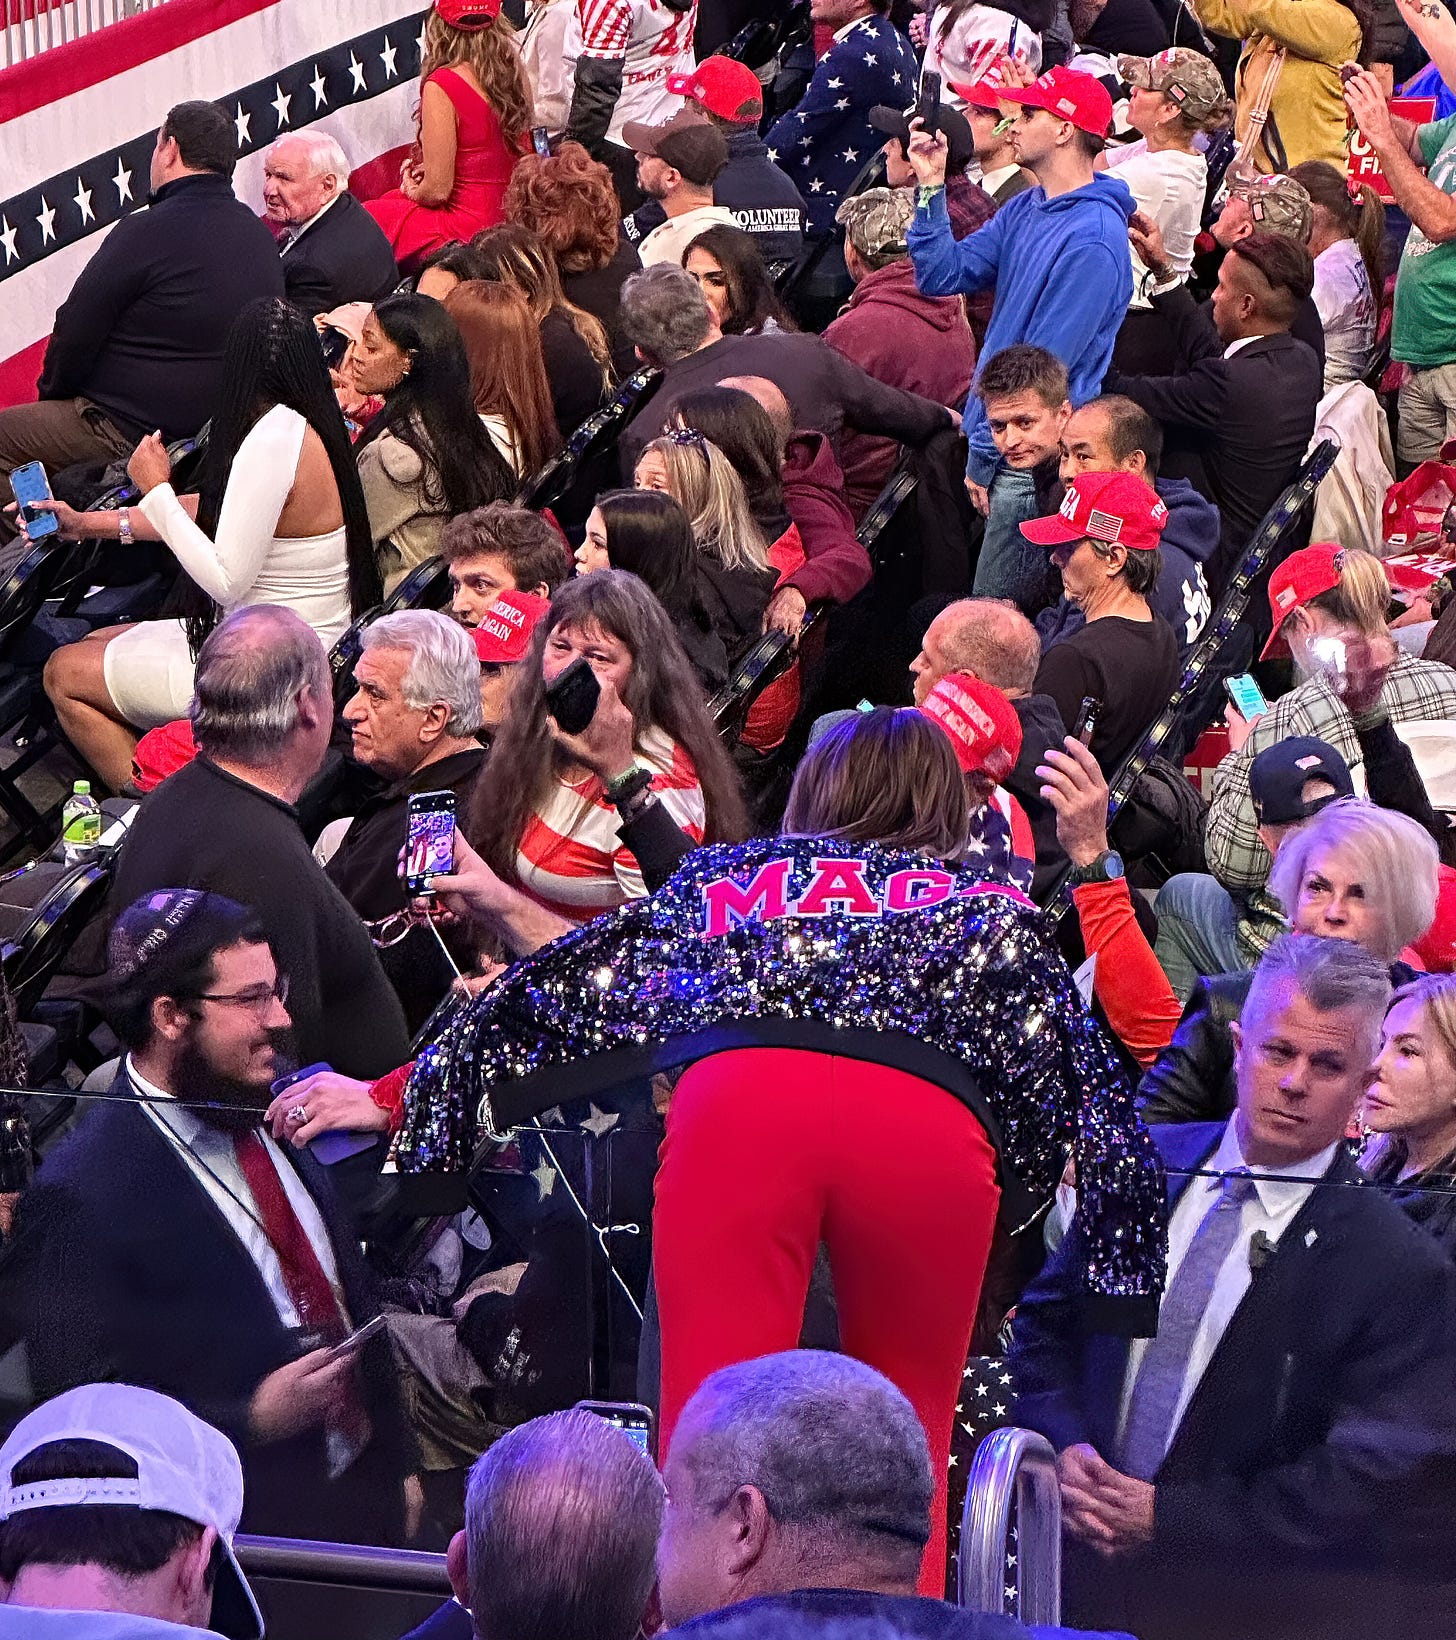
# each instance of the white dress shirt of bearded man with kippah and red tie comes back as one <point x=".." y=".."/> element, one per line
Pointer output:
<point x="214" y="1164"/>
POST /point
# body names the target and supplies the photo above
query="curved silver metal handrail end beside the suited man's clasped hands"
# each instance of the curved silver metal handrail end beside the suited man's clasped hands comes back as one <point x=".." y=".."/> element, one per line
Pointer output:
<point x="1012" y="1467"/>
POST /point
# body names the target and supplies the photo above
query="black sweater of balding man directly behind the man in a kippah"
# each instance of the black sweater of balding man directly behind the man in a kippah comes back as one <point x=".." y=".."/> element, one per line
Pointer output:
<point x="206" y="829"/>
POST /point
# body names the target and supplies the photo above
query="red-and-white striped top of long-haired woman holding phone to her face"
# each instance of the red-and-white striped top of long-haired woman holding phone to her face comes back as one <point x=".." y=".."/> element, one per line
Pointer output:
<point x="571" y="857"/>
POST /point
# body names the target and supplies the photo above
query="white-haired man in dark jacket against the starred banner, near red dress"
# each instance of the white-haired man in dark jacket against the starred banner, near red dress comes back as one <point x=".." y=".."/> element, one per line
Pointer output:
<point x="334" y="250"/>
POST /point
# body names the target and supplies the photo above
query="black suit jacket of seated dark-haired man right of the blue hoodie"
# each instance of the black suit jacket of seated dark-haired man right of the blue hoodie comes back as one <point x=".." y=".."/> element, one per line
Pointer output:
<point x="1237" y="429"/>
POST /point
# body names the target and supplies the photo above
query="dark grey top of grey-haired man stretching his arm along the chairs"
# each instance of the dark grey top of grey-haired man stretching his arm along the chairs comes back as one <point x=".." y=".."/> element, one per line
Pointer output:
<point x="824" y="389"/>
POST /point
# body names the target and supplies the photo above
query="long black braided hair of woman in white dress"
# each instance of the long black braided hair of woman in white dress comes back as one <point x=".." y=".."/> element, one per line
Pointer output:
<point x="275" y="358"/>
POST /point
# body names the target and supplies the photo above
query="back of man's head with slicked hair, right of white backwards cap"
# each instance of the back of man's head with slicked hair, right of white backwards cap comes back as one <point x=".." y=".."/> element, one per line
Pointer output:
<point x="562" y="1533"/>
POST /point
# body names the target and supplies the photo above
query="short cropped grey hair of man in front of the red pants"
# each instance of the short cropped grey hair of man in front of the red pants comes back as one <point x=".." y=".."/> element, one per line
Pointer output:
<point x="834" y="1447"/>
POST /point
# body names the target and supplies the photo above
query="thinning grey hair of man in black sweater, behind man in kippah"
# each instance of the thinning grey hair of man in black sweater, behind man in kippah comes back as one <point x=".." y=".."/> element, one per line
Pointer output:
<point x="250" y="675"/>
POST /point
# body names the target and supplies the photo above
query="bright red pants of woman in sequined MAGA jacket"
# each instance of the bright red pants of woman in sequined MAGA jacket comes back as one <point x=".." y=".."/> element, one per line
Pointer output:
<point x="771" y="1152"/>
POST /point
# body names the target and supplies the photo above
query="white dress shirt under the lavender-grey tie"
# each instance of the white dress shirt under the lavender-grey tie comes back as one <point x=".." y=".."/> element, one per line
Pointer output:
<point x="1272" y="1209"/>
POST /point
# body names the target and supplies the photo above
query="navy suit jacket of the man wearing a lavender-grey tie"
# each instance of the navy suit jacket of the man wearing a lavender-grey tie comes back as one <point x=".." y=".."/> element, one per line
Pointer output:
<point x="1309" y="1480"/>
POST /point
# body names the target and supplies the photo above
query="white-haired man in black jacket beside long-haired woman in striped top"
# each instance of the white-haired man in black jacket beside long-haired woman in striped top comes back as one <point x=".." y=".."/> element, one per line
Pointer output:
<point x="414" y="717"/>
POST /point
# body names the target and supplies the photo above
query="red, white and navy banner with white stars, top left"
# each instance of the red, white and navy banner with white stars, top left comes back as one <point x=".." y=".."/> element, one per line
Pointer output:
<point x="78" y="125"/>
